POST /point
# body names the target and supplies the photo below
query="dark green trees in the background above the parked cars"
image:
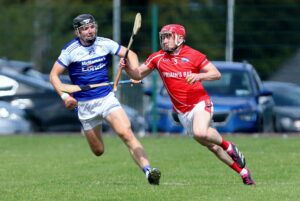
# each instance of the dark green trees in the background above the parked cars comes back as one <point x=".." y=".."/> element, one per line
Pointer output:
<point x="266" y="34"/>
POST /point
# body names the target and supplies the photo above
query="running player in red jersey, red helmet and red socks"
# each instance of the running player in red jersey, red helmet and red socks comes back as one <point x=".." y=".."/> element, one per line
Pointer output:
<point x="182" y="70"/>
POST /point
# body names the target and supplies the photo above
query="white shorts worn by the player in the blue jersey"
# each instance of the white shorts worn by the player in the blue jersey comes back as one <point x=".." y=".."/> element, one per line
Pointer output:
<point x="92" y="112"/>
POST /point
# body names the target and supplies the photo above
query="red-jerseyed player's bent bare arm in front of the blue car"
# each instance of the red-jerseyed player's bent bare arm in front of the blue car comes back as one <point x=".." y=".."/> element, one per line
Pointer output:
<point x="208" y="72"/>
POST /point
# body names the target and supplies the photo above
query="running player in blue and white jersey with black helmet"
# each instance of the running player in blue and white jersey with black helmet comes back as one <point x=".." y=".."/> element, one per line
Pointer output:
<point x="86" y="59"/>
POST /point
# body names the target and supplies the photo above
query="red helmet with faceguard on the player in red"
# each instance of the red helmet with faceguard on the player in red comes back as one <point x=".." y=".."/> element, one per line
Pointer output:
<point x="172" y="30"/>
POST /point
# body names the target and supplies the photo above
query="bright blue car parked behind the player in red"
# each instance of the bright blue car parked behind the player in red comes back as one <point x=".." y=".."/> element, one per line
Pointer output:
<point x="241" y="104"/>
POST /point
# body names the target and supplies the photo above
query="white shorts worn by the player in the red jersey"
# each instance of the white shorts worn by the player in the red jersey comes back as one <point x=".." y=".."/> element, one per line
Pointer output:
<point x="186" y="119"/>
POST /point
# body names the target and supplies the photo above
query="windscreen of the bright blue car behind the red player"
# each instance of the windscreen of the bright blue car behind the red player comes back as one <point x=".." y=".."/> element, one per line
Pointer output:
<point x="232" y="83"/>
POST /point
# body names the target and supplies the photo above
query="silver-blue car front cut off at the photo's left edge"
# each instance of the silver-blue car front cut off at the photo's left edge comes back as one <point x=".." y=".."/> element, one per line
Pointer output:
<point x="13" y="120"/>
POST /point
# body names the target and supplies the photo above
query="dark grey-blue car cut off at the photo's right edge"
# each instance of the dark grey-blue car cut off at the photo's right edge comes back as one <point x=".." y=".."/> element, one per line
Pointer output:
<point x="287" y="105"/>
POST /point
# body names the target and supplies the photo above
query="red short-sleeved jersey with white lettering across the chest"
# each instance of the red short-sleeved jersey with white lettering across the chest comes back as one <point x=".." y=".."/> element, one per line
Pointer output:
<point x="173" y="70"/>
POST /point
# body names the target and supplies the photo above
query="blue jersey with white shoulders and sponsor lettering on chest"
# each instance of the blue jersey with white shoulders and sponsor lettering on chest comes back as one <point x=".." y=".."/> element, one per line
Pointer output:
<point x="89" y="65"/>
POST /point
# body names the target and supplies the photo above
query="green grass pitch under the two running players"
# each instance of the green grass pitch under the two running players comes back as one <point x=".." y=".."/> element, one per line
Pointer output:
<point x="61" y="167"/>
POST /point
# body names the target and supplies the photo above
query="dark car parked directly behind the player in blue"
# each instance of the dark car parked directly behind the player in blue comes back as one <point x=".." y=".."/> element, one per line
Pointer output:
<point x="44" y="107"/>
